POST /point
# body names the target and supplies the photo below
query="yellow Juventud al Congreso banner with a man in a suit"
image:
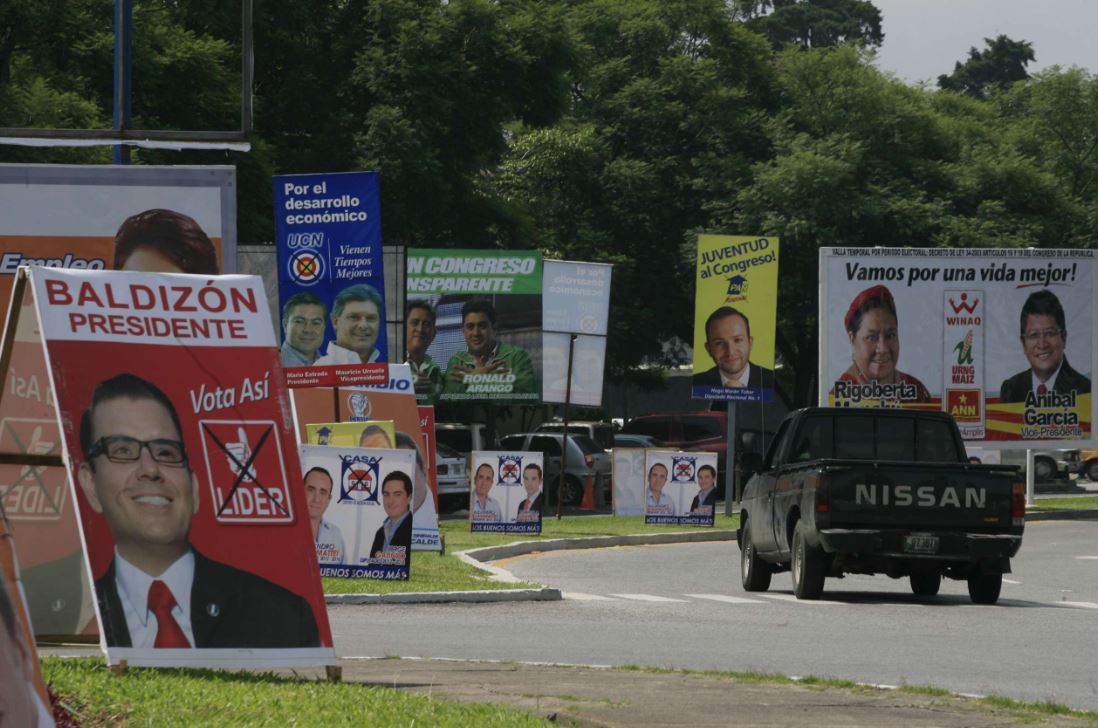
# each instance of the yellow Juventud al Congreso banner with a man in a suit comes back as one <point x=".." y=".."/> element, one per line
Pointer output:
<point x="735" y="318"/>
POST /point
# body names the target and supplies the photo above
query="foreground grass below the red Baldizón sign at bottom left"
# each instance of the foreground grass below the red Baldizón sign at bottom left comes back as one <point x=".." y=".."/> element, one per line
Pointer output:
<point x="208" y="698"/>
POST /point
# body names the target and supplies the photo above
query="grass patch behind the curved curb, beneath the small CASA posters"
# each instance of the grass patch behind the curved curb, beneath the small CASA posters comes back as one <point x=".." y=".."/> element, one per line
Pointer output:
<point x="433" y="573"/>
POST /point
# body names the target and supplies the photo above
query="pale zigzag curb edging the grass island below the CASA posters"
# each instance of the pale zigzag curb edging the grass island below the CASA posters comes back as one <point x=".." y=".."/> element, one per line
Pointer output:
<point x="479" y="557"/>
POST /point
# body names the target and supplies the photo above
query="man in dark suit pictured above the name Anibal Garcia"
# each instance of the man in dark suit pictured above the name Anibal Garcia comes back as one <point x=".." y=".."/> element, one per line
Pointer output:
<point x="1045" y="339"/>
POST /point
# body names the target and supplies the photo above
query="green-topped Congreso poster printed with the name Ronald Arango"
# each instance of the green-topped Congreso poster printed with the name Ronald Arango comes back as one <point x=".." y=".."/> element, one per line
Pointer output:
<point x="484" y="316"/>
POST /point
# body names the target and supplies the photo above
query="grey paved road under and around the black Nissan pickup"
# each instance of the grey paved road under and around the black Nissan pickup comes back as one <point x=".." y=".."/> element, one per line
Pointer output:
<point x="682" y="607"/>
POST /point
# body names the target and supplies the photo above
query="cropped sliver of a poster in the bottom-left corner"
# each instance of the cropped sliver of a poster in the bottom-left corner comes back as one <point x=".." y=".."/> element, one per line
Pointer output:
<point x="24" y="697"/>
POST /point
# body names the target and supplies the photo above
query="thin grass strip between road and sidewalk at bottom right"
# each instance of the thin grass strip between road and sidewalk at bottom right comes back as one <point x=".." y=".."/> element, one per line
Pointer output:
<point x="1024" y="711"/>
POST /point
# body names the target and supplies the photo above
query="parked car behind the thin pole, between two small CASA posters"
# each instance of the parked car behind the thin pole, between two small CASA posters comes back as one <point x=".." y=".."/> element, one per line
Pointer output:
<point x="586" y="460"/>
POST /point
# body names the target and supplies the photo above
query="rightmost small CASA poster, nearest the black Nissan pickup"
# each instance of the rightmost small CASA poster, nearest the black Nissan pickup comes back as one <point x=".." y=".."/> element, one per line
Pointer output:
<point x="680" y="488"/>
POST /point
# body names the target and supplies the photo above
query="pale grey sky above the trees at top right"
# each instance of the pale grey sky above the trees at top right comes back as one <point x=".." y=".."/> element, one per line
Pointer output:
<point x="925" y="39"/>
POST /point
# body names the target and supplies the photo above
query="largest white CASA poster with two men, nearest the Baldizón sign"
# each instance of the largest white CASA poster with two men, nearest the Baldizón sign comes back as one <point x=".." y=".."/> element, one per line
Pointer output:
<point x="361" y="510"/>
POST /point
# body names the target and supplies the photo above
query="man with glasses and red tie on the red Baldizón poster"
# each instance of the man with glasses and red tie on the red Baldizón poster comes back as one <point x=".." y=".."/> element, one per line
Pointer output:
<point x="160" y="591"/>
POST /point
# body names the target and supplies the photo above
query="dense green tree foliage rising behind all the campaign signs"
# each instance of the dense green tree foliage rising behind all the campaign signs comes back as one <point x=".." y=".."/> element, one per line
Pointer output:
<point x="599" y="130"/>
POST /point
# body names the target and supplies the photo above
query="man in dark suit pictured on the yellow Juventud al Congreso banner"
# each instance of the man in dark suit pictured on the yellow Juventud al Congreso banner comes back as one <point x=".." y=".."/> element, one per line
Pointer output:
<point x="729" y="342"/>
